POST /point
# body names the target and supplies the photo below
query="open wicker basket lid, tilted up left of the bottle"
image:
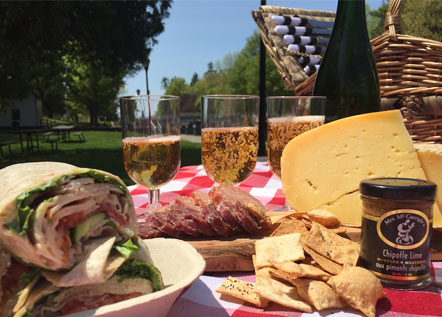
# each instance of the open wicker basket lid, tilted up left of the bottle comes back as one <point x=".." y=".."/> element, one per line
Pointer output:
<point x="285" y="60"/>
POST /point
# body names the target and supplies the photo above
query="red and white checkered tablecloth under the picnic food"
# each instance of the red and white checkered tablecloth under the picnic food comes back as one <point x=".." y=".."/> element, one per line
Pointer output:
<point x="202" y="300"/>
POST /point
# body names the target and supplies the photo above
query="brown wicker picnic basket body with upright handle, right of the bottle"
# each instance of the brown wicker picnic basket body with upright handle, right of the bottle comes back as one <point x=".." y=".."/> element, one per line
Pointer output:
<point x="410" y="77"/>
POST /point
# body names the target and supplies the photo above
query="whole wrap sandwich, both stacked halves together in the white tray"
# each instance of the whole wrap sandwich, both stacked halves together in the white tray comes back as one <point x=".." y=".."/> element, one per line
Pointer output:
<point x="68" y="241"/>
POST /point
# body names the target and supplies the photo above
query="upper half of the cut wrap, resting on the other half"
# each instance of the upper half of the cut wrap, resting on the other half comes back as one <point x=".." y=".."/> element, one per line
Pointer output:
<point x="43" y="203"/>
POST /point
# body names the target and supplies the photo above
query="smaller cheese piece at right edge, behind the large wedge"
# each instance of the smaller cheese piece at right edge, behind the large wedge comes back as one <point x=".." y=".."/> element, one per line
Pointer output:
<point x="430" y="156"/>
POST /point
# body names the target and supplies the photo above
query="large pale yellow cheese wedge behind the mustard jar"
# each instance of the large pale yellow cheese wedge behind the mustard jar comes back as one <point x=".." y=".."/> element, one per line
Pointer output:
<point x="322" y="168"/>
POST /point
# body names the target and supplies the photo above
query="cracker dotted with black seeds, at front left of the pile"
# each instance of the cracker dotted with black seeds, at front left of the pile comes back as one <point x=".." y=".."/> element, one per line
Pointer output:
<point x="242" y="290"/>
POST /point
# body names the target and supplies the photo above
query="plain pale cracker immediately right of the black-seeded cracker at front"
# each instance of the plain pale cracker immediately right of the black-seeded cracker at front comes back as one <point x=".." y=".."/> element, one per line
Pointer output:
<point x="279" y="292"/>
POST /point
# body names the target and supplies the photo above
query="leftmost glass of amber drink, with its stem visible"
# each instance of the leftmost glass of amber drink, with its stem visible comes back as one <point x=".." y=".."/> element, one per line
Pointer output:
<point x="151" y="141"/>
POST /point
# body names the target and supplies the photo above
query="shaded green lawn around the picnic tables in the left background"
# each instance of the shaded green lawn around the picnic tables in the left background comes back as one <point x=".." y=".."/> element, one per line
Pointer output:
<point x="102" y="150"/>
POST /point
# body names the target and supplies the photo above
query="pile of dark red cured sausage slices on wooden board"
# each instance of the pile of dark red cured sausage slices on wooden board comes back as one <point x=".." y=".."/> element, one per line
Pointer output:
<point x="225" y="211"/>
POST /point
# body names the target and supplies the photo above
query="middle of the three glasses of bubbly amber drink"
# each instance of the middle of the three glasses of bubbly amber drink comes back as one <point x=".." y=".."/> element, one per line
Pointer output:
<point x="229" y="136"/>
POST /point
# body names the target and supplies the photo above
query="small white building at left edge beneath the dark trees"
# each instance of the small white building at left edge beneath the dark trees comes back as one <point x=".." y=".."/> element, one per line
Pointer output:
<point x="21" y="113"/>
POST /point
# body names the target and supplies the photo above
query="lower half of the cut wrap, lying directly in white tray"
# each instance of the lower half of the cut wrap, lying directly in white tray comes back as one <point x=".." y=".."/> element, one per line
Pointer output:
<point x="133" y="276"/>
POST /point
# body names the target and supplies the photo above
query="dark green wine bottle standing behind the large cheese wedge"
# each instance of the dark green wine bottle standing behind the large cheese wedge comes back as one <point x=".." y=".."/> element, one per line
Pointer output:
<point x="347" y="75"/>
